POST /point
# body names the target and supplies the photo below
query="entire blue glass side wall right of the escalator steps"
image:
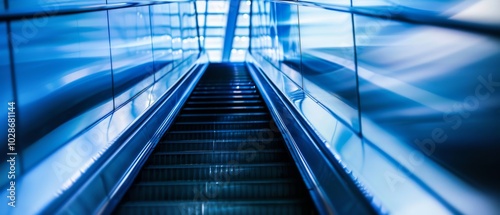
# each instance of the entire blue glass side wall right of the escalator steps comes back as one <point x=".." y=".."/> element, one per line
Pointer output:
<point x="410" y="110"/>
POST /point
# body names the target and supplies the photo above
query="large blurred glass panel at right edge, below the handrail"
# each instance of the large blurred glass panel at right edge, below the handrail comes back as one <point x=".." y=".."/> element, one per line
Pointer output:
<point x="435" y="90"/>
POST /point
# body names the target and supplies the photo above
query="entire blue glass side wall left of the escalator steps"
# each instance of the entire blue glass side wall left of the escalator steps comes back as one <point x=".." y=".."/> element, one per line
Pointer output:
<point x="81" y="75"/>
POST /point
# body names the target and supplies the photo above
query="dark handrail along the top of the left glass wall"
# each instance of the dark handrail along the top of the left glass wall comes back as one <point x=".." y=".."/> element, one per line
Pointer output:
<point x="57" y="10"/>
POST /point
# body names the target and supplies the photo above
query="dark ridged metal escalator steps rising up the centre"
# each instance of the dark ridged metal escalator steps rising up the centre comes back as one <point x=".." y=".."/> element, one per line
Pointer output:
<point x="222" y="155"/>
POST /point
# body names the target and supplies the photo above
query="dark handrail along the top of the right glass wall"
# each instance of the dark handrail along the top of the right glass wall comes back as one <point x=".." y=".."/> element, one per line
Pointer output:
<point x="409" y="16"/>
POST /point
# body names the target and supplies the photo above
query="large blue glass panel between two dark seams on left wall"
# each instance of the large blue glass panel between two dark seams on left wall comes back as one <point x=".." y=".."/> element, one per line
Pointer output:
<point x="63" y="80"/>
